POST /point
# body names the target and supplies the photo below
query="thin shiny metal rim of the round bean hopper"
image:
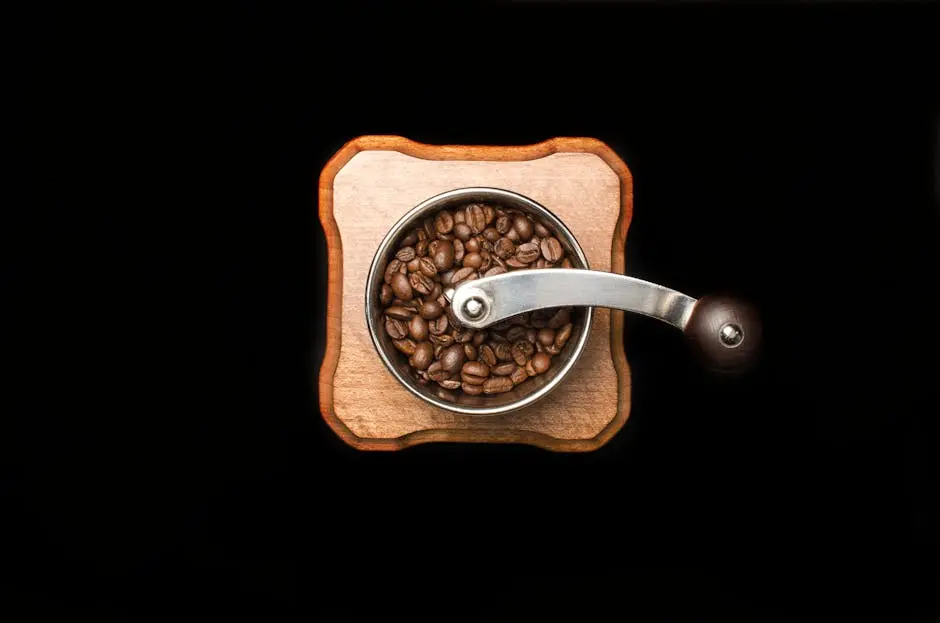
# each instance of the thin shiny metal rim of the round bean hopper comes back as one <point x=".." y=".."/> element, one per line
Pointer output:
<point x="431" y="204"/>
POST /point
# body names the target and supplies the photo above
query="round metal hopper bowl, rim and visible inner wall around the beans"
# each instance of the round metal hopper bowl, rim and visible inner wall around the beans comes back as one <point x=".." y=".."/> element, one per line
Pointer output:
<point x="525" y="393"/>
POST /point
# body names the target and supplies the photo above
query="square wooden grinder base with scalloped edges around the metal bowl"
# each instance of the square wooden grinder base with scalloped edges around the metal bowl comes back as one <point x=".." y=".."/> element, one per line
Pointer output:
<point x="374" y="180"/>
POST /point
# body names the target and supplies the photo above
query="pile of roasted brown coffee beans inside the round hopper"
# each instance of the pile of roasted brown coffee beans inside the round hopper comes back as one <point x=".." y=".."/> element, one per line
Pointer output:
<point x="451" y="248"/>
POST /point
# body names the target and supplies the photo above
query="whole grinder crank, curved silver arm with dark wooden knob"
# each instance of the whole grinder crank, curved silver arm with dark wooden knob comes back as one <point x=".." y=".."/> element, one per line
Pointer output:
<point x="726" y="332"/>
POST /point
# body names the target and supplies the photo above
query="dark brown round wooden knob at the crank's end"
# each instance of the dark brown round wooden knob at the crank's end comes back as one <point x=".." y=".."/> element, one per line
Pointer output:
<point x="726" y="333"/>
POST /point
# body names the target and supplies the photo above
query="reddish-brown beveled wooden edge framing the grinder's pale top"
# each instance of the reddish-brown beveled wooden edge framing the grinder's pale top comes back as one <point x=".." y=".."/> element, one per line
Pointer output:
<point x="335" y="286"/>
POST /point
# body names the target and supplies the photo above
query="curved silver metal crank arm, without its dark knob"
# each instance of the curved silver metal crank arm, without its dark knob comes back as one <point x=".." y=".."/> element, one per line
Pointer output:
<point x="509" y="294"/>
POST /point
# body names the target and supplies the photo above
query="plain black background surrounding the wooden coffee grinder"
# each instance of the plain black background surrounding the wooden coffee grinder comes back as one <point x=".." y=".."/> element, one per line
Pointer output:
<point x="172" y="459"/>
